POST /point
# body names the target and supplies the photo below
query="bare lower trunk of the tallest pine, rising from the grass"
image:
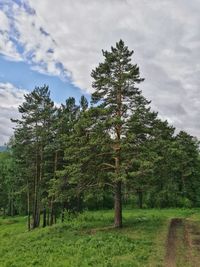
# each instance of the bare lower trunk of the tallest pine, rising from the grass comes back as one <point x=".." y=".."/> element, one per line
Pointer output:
<point x="118" y="205"/>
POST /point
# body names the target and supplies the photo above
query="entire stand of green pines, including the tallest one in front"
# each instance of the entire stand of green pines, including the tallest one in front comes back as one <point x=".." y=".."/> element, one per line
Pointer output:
<point x="112" y="152"/>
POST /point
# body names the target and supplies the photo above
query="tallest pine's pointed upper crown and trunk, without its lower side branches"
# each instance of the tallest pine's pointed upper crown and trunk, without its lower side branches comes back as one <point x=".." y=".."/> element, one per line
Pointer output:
<point x="115" y="83"/>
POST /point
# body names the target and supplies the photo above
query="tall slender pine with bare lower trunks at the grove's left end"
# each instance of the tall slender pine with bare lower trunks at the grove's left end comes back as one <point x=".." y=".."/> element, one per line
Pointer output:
<point x="32" y="135"/>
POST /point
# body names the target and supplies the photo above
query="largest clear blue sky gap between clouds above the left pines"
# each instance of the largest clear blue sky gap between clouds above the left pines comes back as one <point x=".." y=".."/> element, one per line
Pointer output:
<point x="22" y="76"/>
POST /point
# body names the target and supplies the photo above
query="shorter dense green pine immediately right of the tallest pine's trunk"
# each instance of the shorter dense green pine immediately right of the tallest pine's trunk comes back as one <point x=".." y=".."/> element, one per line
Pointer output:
<point x="139" y="157"/>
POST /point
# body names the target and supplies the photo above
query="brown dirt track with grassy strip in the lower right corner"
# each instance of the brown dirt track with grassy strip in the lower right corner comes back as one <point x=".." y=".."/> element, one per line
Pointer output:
<point x="183" y="244"/>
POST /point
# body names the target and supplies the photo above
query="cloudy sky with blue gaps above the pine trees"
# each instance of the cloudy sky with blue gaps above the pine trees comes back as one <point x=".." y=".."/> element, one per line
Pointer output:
<point x="59" y="42"/>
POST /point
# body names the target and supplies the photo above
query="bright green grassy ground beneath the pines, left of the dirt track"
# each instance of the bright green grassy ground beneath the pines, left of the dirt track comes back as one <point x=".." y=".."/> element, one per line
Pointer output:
<point x="90" y="240"/>
